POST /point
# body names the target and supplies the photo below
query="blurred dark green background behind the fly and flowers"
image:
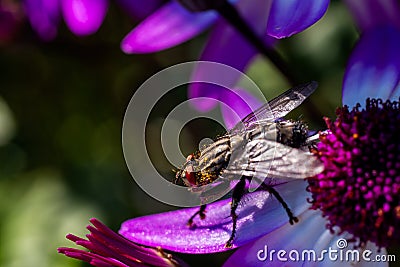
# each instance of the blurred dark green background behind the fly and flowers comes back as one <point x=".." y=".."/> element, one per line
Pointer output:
<point x="61" y="110"/>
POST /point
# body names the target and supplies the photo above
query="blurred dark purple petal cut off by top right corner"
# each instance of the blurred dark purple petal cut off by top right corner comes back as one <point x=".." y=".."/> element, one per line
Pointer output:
<point x="372" y="13"/>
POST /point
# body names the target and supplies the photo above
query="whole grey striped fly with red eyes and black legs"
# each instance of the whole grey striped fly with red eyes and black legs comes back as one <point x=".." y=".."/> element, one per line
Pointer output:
<point x="263" y="147"/>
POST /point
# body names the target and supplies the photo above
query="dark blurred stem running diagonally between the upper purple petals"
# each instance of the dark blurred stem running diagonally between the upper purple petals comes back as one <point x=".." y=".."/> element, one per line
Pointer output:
<point x="230" y="14"/>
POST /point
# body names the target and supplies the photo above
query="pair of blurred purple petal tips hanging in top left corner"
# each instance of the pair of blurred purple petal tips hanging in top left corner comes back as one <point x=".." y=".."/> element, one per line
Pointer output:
<point x="83" y="17"/>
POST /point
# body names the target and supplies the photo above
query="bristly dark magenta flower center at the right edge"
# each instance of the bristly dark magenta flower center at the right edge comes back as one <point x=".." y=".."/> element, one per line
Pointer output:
<point x="360" y="186"/>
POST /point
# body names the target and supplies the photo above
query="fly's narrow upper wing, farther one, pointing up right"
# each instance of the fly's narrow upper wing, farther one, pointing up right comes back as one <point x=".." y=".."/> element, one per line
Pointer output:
<point x="278" y="107"/>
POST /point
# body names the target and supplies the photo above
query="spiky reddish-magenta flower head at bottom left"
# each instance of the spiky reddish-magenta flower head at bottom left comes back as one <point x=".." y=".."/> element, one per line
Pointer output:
<point x="107" y="248"/>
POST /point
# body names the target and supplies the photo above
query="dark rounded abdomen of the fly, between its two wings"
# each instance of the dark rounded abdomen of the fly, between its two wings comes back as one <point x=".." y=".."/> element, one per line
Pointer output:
<point x="292" y="133"/>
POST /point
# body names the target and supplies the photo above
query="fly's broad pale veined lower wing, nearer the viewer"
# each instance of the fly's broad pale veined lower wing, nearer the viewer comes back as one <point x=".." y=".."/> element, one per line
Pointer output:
<point x="269" y="159"/>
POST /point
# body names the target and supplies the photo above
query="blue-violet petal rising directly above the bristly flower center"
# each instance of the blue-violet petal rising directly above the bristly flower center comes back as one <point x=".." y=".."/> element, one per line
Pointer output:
<point x="374" y="67"/>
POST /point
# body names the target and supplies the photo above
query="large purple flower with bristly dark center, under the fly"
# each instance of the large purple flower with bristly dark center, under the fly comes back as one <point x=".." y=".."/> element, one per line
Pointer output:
<point x="260" y="219"/>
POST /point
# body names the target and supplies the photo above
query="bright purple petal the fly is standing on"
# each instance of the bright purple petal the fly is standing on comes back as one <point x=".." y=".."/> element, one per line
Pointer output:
<point x="258" y="215"/>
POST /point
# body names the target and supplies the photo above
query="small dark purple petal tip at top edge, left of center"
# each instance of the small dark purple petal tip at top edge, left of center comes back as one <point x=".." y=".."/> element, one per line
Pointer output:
<point x="140" y="9"/>
